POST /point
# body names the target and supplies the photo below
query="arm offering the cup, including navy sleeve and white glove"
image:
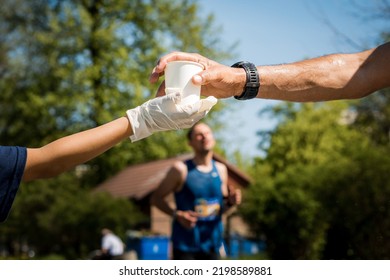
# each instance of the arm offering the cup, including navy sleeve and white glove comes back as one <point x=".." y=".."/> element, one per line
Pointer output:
<point x="19" y="164"/>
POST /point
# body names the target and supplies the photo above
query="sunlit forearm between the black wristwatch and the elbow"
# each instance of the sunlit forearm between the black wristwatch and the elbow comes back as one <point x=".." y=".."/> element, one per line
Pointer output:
<point x="325" y="78"/>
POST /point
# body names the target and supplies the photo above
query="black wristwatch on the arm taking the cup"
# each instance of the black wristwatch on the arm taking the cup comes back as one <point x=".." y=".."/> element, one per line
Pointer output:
<point x="252" y="80"/>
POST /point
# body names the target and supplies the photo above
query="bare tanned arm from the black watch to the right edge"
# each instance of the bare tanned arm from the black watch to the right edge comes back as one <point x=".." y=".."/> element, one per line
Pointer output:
<point x="331" y="77"/>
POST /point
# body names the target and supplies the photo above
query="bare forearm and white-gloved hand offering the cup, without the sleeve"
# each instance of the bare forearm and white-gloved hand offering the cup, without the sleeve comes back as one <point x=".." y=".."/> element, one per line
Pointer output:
<point x="158" y="114"/>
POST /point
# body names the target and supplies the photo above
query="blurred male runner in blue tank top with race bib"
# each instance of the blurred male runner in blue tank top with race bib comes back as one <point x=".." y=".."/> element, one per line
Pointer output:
<point x="199" y="186"/>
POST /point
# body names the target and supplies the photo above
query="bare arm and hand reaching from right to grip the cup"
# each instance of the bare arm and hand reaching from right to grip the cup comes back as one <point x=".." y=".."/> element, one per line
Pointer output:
<point x="331" y="77"/>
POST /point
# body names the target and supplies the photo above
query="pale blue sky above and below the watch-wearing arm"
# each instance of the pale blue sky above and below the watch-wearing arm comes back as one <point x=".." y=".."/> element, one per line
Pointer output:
<point x="282" y="31"/>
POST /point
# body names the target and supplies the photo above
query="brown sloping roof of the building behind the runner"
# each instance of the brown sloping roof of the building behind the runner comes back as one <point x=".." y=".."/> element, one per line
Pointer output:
<point x="138" y="181"/>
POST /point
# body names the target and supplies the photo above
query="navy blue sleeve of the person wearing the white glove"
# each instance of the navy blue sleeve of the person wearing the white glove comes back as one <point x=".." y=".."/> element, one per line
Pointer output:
<point x="12" y="163"/>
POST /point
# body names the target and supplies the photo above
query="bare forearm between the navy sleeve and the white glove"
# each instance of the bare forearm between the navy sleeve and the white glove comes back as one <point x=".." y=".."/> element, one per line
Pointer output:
<point x="67" y="152"/>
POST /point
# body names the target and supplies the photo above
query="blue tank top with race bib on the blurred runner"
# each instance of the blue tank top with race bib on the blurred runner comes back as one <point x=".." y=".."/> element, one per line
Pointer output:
<point x="202" y="193"/>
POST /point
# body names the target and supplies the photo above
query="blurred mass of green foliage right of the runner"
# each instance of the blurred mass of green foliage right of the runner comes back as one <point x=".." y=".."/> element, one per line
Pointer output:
<point x="314" y="161"/>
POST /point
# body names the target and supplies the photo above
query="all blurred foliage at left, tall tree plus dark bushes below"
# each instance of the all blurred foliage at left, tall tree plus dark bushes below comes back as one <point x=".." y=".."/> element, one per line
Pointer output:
<point x="71" y="65"/>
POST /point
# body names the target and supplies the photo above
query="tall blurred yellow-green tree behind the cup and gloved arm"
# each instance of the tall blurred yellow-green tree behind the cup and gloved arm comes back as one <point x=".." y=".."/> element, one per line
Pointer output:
<point x="79" y="64"/>
